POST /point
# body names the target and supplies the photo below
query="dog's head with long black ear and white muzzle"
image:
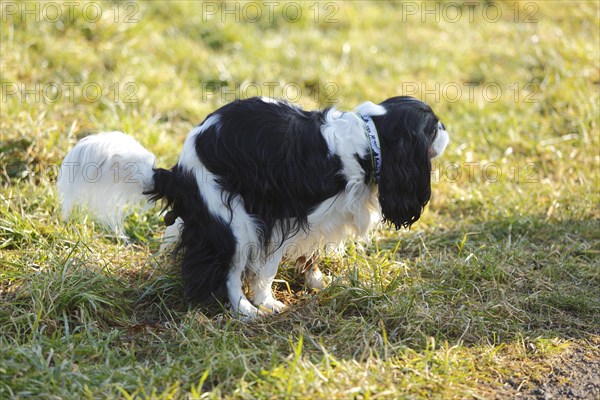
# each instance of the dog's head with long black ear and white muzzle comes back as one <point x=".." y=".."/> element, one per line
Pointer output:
<point x="410" y="135"/>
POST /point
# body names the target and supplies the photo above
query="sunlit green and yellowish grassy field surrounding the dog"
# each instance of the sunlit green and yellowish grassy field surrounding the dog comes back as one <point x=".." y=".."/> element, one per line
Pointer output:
<point x="494" y="293"/>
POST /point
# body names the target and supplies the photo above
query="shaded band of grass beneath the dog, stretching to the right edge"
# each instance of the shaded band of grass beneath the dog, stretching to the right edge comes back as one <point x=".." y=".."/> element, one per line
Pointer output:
<point x="487" y="282"/>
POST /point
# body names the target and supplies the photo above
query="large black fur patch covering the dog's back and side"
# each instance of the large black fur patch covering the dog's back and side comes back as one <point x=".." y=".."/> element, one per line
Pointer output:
<point x="274" y="156"/>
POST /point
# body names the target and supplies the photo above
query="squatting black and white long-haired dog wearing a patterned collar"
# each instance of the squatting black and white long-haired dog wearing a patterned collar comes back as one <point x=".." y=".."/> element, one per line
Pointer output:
<point x="261" y="180"/>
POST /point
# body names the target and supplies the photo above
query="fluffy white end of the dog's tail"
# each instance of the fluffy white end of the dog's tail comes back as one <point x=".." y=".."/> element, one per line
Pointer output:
<point x="108" y="175"/>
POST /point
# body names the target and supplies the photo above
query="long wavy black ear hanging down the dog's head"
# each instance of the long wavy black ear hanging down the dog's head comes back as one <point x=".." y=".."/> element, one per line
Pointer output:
<point x="404" y="184"/>
